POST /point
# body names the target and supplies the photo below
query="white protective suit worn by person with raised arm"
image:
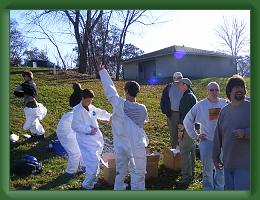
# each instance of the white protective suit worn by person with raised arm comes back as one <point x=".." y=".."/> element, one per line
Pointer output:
<point x="129" y="140"/>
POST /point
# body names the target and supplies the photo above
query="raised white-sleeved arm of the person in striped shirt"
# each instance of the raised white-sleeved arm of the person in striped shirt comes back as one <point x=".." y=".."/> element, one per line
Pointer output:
<point x="108" y="86"/>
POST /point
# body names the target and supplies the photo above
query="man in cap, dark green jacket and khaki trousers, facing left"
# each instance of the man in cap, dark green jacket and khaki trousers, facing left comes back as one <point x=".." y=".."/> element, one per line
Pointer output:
<point x="187" y="146"/>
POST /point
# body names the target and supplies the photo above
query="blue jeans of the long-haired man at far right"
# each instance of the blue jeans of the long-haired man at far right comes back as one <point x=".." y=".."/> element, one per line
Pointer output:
<point x="237" y="179"/>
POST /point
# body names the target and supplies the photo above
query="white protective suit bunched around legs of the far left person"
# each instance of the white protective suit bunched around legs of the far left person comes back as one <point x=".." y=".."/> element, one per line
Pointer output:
<point x="33" y="117"/>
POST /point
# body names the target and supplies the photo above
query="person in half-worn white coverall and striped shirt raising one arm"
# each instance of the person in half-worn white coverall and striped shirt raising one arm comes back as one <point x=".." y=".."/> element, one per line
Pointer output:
<point x="129" y="138"/>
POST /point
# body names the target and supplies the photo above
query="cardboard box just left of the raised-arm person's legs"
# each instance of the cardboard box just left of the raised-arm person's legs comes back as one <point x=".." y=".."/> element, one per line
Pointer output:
<point x="108" y="160"/>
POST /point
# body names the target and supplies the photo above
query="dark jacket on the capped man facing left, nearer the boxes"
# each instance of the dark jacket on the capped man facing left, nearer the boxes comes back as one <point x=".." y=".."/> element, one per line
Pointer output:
<point x="188" y="100"/>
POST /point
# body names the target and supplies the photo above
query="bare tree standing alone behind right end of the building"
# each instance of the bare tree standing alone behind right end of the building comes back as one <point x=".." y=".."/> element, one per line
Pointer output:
<point x="234" y="36"/>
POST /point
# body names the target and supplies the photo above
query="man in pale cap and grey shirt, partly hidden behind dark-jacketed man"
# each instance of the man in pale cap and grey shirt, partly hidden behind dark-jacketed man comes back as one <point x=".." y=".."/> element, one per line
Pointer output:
<point x="170" y="107"/>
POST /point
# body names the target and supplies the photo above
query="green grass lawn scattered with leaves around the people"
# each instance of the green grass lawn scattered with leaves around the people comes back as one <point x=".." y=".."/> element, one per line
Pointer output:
<point x="54" y="92"/>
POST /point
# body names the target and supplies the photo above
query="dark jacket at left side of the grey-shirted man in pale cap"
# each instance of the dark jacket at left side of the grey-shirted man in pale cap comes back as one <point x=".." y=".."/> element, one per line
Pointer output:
<point x="165" y="102"/>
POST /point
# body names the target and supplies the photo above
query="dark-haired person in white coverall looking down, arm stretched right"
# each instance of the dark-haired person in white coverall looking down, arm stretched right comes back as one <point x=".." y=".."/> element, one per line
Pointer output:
<point x="89" y="136"/>
